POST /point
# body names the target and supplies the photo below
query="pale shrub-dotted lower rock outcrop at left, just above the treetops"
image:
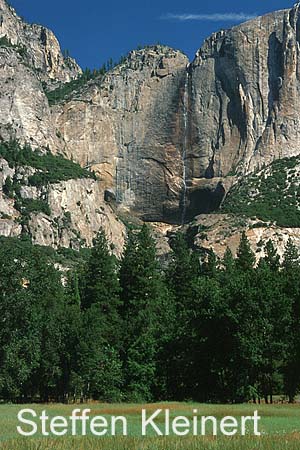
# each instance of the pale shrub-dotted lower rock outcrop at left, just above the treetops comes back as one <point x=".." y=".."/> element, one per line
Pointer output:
<point x="76" y="212"/>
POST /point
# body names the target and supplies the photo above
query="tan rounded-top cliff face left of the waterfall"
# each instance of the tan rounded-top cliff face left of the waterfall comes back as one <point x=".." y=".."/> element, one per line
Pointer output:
<point x="128" y="126"/>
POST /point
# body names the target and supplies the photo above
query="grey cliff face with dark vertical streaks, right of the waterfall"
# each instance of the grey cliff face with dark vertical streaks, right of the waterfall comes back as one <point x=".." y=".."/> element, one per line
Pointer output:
<point x="245" y="97"/>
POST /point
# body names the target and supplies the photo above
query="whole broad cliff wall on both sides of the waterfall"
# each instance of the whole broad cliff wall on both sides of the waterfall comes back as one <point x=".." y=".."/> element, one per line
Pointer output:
<point x="157" y="131"/>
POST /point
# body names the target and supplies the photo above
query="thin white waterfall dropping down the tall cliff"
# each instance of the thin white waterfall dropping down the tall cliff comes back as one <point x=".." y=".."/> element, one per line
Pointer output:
<point x="185" y="143"/>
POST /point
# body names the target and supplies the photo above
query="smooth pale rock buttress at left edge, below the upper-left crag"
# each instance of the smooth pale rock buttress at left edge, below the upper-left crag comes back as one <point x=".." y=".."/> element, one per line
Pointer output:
<point x="24" y="113"/>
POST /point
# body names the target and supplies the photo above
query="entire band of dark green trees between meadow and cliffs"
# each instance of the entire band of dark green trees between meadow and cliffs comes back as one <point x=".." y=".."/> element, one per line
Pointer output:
<point x="197" y="328"/>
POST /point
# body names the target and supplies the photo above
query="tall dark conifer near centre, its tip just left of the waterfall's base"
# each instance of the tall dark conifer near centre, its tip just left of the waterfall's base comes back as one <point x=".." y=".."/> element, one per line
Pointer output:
<point x="142" y="292"/>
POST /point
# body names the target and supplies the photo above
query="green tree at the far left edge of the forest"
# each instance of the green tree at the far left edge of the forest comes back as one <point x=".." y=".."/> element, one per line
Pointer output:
<point x="20" y="325"/>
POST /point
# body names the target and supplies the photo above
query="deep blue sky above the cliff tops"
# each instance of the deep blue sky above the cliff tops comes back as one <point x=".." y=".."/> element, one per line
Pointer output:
<point x="96" y="30"/>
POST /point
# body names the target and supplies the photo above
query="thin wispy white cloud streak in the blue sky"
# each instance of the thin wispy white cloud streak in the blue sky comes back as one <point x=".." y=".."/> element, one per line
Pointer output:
<point x="216" y="17"/>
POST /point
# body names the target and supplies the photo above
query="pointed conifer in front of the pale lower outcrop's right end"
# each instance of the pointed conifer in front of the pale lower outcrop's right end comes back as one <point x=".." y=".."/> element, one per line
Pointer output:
<point x="99" y="364"/>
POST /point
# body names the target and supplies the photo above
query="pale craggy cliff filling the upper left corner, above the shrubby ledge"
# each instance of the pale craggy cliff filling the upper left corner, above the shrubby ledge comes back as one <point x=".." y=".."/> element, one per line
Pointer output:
<point x="30" y="58"/>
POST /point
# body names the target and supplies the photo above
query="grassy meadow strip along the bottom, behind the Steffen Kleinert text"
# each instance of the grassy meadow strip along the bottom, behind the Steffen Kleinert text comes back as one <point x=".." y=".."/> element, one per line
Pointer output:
<point x="279" y="425"/>
